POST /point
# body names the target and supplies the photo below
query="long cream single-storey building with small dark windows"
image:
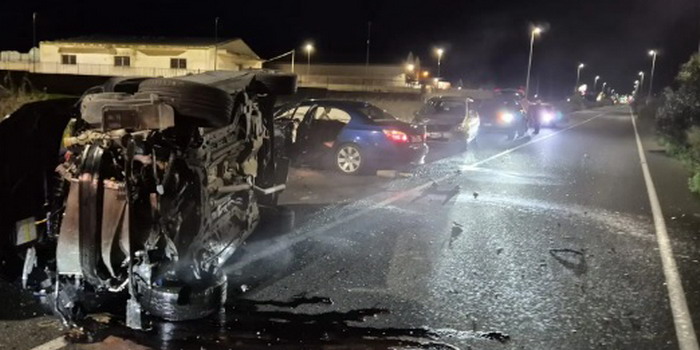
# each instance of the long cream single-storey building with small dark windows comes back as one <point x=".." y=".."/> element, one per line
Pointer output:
<point x="141" y="56"/>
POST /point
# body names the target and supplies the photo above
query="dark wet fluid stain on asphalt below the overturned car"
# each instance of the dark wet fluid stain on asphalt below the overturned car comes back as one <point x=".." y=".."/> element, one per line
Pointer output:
<point x="253" y="324"/>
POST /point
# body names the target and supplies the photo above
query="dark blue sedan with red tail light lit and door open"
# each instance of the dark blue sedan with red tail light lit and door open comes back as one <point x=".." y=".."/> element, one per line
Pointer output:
<point x="352" y="137"/>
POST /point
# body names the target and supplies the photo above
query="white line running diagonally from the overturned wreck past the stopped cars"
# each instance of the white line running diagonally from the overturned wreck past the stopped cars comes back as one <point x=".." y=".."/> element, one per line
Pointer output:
<point x="286" y="242"/>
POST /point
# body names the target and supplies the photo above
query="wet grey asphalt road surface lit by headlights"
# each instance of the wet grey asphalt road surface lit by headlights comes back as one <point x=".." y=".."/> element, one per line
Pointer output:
<point x="541" y="243"/>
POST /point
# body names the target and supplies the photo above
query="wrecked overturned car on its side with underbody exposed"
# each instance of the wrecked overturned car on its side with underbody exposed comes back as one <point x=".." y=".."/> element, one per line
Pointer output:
<point x="141" y="188"/>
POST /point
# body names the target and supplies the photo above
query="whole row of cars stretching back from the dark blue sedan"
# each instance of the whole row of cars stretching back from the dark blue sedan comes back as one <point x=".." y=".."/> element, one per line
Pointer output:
<point x="357" y="137"/>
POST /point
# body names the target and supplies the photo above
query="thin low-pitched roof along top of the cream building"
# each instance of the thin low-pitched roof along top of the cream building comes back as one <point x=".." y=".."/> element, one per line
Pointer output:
<point x="145" y="40"/>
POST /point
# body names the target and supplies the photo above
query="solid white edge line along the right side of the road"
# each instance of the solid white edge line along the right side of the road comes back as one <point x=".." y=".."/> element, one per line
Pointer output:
<point x="687" y="340"/>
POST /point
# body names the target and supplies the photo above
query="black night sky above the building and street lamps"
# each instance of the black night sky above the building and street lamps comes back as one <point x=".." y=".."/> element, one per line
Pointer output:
<point x="486" y="42"/>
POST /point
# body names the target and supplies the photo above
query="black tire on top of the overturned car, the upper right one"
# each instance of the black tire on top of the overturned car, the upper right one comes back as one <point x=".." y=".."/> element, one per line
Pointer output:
<point x="207" y="105"/>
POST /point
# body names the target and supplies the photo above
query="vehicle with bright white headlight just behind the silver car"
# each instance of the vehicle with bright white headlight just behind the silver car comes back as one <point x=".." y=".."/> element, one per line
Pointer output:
<point x="503" y="114"/>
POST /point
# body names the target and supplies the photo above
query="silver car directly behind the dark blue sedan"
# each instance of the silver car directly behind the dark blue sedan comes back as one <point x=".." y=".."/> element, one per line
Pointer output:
<point x="449" y="119"/>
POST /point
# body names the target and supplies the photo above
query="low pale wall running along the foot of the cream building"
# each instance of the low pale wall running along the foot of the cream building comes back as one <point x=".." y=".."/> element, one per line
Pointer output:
<point x="93" y="69"/>
